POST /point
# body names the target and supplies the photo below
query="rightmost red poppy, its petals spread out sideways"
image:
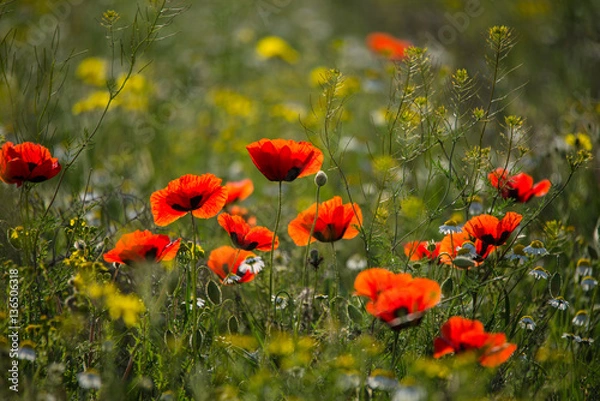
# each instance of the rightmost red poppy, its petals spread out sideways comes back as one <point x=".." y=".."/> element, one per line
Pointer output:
<point x="519" y="187"/>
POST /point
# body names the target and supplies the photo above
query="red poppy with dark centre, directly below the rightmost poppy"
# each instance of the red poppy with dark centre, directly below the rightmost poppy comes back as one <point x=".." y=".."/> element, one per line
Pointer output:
<point x="492" y="231"/>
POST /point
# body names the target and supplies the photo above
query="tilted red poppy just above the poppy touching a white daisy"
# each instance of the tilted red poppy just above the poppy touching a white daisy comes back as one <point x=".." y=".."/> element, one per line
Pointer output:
<point x="246" y="237"/>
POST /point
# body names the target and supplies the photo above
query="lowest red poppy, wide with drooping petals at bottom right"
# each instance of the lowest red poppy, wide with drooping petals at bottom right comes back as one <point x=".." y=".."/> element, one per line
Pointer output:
<point x="463" y="335"/>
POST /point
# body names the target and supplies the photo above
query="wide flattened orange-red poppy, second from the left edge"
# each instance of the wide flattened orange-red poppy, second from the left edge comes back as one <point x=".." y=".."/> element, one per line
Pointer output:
<point x="142" y="246"/>
